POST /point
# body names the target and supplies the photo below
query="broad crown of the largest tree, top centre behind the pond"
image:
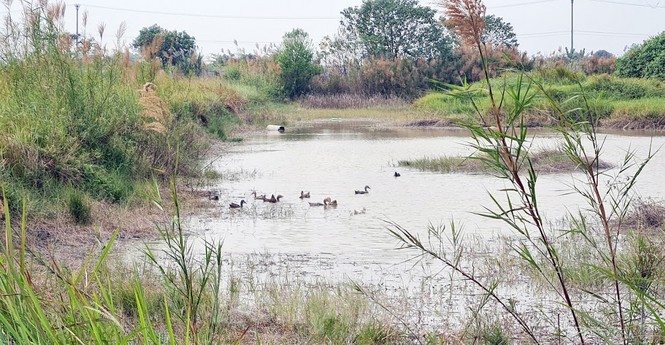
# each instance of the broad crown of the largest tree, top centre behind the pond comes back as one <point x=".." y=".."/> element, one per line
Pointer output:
<point x="395" y="29"/>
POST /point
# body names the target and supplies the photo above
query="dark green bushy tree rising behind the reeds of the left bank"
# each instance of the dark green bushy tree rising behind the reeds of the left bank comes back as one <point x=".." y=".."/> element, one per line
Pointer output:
<point x="171" y="47"/>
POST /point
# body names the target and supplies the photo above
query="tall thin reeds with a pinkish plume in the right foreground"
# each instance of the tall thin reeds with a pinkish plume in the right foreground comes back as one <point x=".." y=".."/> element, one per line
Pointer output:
<point x="499" y="133"/>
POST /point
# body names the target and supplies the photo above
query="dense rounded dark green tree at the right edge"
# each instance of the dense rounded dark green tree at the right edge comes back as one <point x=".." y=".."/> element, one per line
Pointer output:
<point x="644" y="61"/>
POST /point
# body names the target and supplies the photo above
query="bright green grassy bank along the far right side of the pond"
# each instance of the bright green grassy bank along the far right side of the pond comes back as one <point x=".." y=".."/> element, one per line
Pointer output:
<point x="629" y="103"/>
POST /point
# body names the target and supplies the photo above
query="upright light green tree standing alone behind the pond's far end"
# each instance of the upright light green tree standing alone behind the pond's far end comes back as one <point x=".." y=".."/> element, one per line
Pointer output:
<point x="296" y="59"/>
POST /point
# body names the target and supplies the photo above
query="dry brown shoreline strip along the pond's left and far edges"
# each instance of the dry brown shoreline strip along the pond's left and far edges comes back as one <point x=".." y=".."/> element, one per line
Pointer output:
<point x="72" y="242"/>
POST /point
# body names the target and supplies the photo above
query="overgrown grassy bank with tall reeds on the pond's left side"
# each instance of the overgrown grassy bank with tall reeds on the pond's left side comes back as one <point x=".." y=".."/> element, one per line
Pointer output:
<point x="84" y="127"/>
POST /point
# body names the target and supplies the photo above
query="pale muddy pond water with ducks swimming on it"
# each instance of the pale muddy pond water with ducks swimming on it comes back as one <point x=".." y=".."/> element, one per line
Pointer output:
<point x="335" y="158"/>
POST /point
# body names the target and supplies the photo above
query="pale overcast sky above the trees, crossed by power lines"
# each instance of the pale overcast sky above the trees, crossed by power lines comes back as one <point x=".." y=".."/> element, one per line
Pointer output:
<point x="542" y="26"/>
